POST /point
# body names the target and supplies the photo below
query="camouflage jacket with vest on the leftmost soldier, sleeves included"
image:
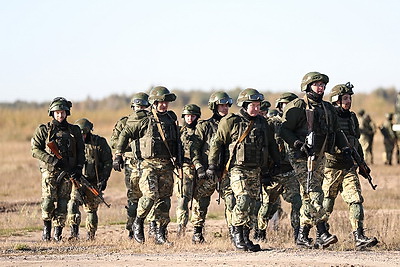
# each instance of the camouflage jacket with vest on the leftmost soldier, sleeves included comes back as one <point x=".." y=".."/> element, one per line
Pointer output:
<point x="68" y="139"/>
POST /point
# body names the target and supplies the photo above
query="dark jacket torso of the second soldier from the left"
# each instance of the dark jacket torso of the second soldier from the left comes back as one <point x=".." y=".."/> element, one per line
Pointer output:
<point x="98" y="159"/>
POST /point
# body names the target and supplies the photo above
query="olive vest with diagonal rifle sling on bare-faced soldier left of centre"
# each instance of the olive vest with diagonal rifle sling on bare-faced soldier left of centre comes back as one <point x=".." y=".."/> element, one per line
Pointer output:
<point x="152" y="144"/>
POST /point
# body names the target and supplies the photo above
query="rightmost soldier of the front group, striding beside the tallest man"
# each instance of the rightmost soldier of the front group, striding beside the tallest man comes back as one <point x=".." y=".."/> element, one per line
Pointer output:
<point x="340" y="172"/>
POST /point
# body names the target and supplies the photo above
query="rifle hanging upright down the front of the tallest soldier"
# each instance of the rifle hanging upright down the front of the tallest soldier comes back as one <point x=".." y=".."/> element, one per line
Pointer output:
<point x="310" y="141"/>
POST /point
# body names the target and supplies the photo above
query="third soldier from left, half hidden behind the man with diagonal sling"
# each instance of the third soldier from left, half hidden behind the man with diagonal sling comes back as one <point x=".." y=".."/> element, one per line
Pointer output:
<point x="139" y="101"/>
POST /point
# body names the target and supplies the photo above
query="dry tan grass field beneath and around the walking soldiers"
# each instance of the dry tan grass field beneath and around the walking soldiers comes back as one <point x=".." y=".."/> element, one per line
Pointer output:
<point x="20" y="217"/>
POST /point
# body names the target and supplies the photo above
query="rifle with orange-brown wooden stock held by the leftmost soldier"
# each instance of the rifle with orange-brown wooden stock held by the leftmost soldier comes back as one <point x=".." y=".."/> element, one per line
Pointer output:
<point x="83" y="181"/>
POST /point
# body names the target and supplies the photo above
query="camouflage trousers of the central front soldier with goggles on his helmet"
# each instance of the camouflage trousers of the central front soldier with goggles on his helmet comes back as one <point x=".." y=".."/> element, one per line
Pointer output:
<point x="245" y="184"/>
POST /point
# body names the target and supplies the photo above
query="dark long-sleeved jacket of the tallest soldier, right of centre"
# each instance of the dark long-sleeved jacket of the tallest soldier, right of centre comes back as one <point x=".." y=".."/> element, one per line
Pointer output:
<point x="325" y="126"/>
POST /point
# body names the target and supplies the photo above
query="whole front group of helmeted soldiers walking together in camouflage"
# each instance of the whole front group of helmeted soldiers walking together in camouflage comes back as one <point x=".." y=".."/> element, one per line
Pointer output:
<point x="302" y="151"/>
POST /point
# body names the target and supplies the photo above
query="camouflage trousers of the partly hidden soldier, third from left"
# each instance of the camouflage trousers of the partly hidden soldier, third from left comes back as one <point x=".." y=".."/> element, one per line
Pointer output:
<point x="132" y="176"/>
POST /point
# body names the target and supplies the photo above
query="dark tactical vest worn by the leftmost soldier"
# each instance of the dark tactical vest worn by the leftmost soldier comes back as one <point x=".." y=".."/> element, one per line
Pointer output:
<point x="66" y="143"/>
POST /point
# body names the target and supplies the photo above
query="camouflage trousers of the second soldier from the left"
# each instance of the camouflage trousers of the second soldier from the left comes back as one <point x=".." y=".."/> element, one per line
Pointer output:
<point x="90" y="206"/>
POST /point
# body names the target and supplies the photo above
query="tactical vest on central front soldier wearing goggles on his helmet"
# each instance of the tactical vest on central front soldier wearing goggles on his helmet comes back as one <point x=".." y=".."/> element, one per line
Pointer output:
<point x="249" y="152"/>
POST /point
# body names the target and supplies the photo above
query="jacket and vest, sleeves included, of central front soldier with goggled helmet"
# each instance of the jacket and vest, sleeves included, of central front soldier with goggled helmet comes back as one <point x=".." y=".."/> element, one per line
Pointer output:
<point x="253" y="151"/>
